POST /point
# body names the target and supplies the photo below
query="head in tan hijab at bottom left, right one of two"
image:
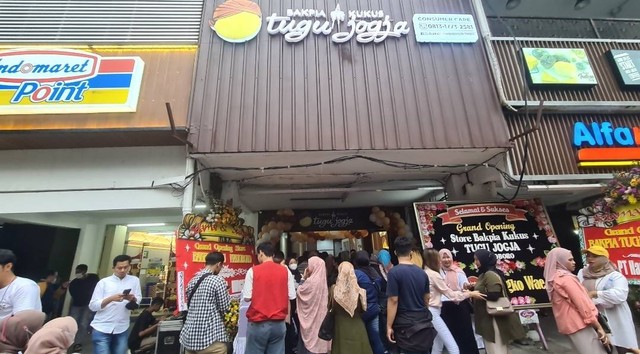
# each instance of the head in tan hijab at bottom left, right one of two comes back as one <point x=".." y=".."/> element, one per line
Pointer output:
<point x="54" y="338"/>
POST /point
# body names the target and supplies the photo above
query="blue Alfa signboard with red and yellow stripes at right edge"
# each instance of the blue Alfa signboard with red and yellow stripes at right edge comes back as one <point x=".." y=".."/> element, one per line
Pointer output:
<point x="603" y="144"/>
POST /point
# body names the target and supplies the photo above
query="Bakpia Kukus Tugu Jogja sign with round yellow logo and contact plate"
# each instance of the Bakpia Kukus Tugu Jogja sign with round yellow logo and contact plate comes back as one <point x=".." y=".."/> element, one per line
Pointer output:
<point x="238" y="21"/>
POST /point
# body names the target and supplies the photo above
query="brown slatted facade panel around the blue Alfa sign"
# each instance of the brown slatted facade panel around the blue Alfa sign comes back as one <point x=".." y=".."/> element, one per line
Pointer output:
<point x="551" y="151"/>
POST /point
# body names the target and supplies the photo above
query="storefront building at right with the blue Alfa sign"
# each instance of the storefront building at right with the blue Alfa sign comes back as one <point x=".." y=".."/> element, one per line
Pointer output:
<point x="578" y="69"/>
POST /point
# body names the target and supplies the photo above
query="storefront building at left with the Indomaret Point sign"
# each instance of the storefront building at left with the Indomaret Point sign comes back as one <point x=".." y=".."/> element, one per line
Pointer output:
<point x="94" y="99"/>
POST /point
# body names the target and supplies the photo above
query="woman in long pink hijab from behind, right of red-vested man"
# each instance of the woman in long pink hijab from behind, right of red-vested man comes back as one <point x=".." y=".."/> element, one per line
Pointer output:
<point x="312" y="304"/>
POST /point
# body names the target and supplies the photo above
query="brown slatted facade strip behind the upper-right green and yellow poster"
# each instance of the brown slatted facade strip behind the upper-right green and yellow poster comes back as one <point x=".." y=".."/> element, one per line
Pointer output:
<point x="607" y="89"/>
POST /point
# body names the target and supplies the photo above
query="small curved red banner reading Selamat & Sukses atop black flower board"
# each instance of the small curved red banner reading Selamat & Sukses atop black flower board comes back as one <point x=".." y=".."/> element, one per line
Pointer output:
<point x="455" y="214"/>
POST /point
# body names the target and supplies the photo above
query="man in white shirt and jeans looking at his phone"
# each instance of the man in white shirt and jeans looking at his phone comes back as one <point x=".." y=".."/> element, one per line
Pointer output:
<point x="113" y="299"/>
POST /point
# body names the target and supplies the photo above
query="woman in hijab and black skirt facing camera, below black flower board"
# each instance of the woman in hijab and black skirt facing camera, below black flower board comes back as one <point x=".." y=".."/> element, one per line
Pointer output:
<point x="457" y="315"/>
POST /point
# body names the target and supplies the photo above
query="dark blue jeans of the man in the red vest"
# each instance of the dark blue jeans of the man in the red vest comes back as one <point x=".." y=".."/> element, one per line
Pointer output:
<point x="265" y="337"/>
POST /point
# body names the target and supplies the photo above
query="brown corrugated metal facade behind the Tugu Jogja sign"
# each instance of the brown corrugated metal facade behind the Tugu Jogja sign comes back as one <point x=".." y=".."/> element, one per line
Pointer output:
<point x="271" y="95"/>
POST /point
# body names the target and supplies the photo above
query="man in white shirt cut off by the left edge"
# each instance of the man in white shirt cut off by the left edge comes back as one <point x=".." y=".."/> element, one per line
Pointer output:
<point x="16" y="293"/>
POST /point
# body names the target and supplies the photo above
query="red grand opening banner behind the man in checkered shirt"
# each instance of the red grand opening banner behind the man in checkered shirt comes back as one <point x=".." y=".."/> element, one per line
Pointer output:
<point x="190" y="259"/>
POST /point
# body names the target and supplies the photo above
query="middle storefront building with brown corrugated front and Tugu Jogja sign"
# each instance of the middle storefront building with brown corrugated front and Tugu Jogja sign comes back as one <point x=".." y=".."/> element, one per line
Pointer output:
<point x="342" y="105"/>
